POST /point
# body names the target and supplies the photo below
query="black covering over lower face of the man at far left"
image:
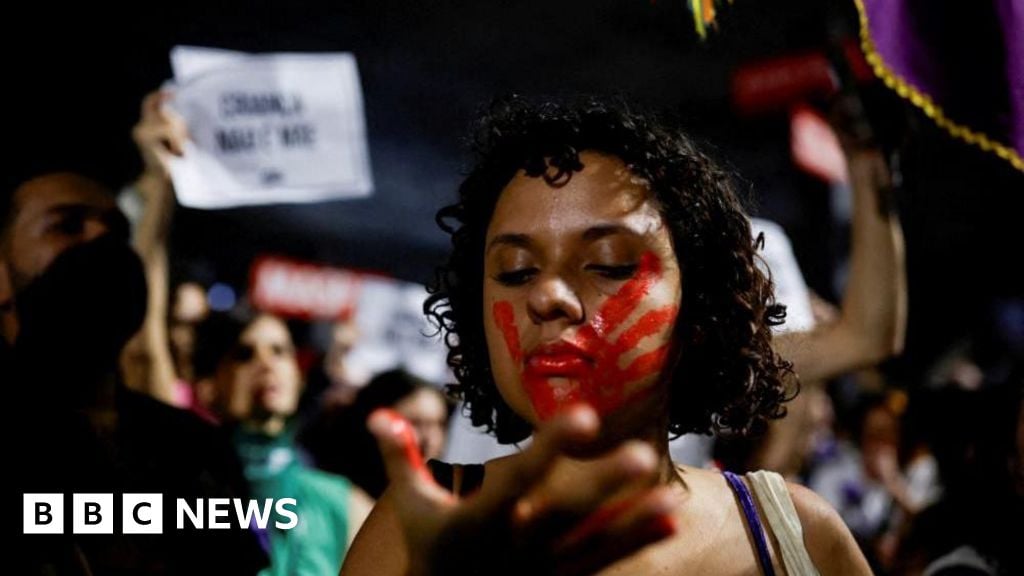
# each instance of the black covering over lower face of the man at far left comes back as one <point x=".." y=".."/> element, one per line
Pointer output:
<point x="75" y="318"/>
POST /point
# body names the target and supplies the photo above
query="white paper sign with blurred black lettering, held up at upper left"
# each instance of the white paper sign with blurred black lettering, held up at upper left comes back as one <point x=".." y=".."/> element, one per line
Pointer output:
<point x="270" y="129"/>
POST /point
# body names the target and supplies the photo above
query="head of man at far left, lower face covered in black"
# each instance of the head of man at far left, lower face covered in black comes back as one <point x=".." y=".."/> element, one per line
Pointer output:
<point x="68" y="281"/>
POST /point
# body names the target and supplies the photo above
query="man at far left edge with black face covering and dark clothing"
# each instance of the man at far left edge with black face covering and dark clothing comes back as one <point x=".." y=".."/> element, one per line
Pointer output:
<point x="72" y="294"/>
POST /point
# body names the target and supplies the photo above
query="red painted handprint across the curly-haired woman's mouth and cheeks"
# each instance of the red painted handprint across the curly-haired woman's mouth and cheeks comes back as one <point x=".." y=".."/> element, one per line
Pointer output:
<point x="588" y="367"/>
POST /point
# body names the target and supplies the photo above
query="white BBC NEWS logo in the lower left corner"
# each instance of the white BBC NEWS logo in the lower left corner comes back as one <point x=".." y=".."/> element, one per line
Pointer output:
<point x="144" y="514"/>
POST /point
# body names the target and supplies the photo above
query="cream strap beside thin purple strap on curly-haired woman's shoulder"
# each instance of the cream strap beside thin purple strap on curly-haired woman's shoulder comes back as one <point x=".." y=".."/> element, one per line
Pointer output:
<point x="773" y="495"/>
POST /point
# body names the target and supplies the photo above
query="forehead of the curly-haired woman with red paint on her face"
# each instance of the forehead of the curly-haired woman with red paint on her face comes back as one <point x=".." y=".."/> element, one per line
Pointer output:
<point x="605" y="192"/>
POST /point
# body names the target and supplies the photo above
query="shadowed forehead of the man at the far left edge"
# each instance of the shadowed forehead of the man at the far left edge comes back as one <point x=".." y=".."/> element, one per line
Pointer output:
<point x="44" y="194"/>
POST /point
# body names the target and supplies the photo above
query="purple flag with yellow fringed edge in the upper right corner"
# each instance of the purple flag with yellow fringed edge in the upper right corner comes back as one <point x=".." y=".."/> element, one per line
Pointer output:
<point x="961" y="63"/>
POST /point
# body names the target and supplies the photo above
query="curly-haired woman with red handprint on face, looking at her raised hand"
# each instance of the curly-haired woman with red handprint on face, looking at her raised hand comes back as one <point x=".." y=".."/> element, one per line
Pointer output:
<point x="603" y="295"/>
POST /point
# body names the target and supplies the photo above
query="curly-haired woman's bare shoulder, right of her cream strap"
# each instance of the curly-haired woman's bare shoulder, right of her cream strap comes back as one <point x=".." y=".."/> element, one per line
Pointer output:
<point x="829" y="541"/>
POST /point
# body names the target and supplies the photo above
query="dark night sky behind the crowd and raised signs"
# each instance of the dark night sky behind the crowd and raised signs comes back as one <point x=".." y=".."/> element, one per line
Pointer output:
<point x="75" y="76"/>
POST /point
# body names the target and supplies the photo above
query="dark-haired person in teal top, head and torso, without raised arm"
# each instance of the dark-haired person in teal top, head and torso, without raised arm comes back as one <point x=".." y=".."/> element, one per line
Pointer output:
<point x="247" y="363"/>
